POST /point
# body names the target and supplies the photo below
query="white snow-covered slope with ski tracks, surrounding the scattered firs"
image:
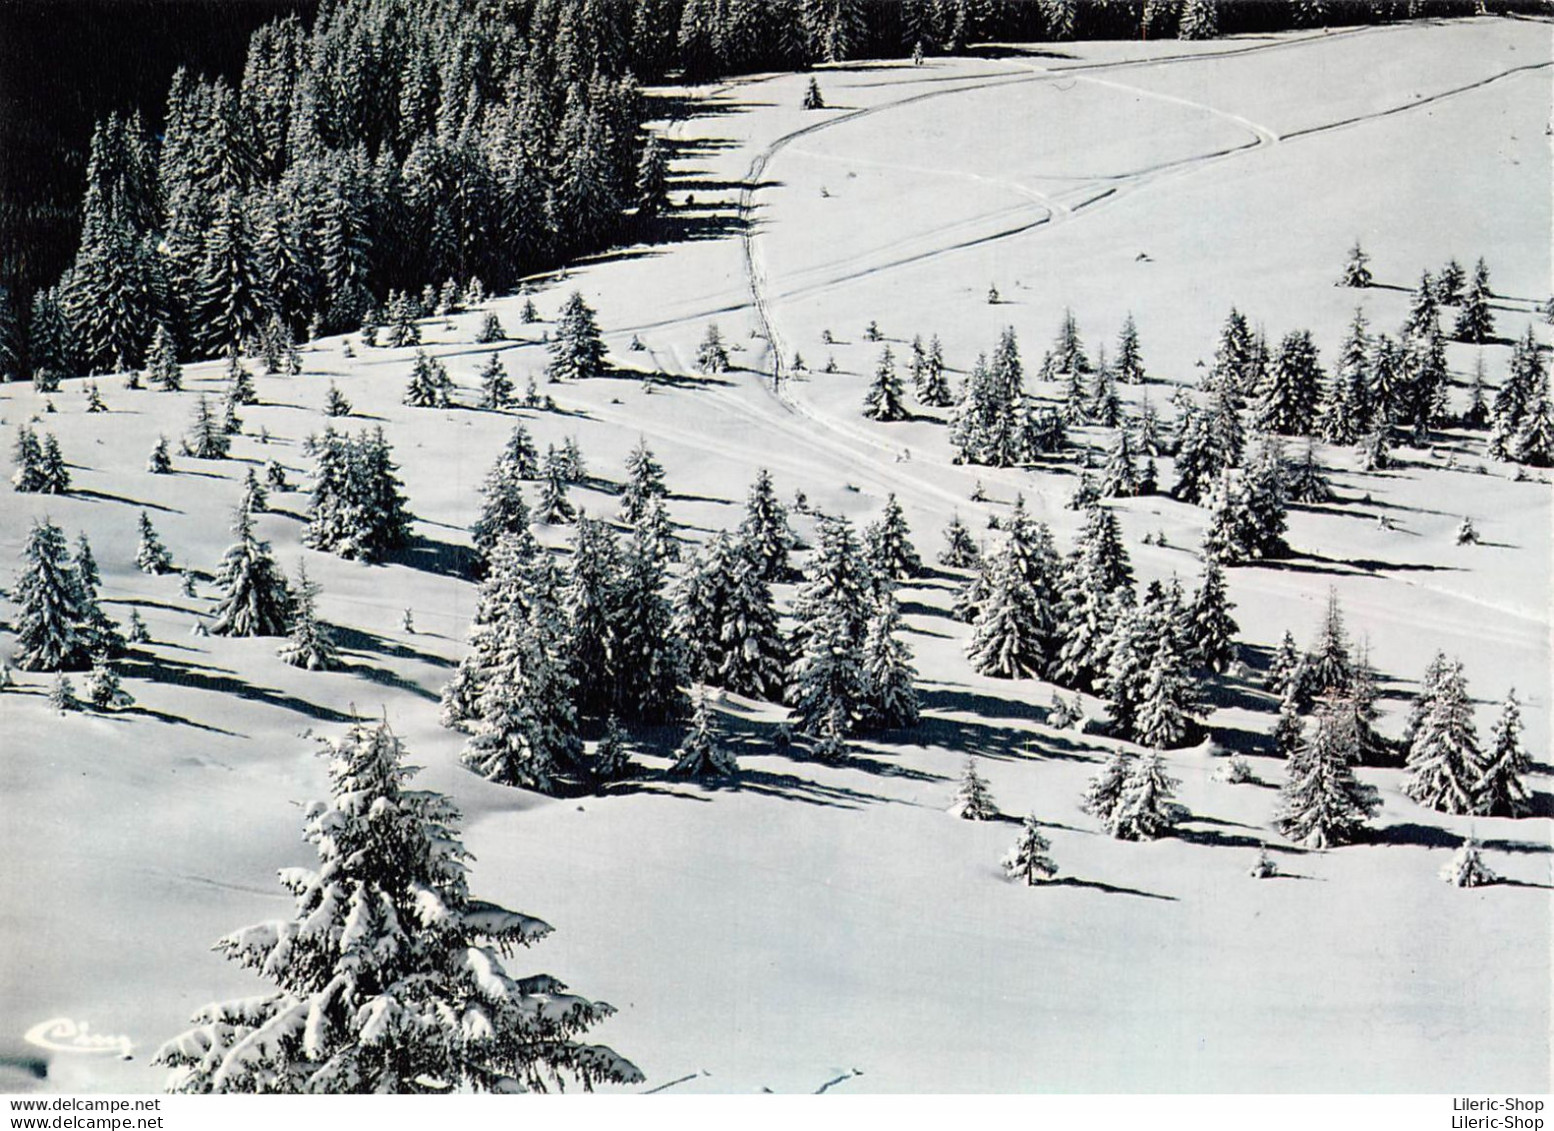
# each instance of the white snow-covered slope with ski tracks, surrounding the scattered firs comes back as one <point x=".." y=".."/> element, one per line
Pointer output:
<point x="828" y="920"/>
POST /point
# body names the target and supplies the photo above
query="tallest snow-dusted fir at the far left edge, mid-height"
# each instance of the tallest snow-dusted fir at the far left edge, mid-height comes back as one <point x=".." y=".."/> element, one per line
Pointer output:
<point x="51" y="622"/>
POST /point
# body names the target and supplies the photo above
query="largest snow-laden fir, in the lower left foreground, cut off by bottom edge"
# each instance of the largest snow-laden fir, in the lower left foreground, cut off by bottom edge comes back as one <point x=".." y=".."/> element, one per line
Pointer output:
<point x="372" y="990"/>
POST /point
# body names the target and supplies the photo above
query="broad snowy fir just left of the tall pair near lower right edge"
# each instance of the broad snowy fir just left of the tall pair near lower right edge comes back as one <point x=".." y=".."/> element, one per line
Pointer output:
<point x="1323" y="804"/>
